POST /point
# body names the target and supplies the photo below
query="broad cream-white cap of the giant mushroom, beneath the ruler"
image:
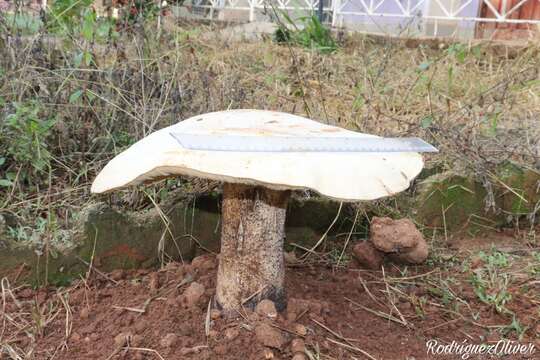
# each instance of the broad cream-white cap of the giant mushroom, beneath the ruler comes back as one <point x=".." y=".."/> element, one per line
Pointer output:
<point x="344" y="176"/>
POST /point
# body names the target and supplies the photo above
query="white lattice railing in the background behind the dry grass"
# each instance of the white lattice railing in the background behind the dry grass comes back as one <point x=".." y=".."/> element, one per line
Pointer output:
<point x="347" y="13"/>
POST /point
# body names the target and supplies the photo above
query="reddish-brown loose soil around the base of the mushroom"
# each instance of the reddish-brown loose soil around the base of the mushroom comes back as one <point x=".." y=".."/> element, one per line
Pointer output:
<point x="164" y="314"/>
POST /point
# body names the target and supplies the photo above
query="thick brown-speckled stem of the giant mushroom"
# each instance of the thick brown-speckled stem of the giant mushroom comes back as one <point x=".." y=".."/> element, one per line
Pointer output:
<point x="251" y="264"/>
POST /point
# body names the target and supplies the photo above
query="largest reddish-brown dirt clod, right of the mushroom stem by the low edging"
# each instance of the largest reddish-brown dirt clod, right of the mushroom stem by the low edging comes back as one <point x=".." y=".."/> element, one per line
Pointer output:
<point x="400" y="238"/>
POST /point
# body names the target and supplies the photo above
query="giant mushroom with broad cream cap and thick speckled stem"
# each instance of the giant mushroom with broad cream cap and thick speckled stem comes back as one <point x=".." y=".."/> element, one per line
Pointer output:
<point x="257" y="186"/>
